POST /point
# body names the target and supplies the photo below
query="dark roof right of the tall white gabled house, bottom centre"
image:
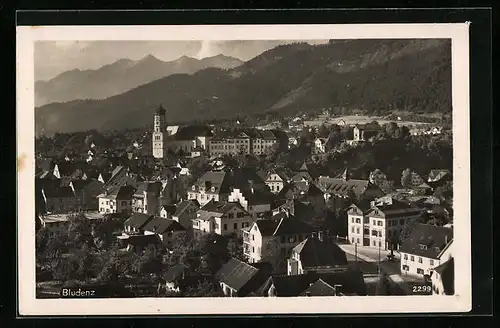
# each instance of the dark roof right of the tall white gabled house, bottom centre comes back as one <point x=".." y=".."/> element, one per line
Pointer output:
<point x="316" y="253"/>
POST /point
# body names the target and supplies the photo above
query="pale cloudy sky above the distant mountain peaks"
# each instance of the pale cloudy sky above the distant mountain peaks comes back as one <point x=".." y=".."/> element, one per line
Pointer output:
<point x="55" y="57"/>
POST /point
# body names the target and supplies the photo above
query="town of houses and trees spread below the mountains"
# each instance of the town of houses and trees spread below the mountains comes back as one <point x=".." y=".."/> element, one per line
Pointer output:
<point x="311" y="205"/>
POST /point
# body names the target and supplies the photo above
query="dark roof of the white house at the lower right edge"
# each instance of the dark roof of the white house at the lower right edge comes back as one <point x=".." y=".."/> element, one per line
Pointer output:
<point x="427" y="241"/>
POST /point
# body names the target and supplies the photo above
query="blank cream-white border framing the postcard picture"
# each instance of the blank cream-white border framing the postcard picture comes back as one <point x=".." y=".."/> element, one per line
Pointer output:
<point x="29" y="305"/>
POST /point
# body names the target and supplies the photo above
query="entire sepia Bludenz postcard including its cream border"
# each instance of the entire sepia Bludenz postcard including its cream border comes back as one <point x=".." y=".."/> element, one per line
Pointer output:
<point x="277" y="171"/>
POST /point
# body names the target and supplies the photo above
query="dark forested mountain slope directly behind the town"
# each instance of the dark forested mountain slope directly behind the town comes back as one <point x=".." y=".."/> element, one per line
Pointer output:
<point x="413" y="75"/>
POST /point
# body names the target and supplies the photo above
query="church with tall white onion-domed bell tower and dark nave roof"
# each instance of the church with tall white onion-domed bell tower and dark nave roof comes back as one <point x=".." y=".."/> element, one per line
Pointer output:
<point x="187" y="138"/>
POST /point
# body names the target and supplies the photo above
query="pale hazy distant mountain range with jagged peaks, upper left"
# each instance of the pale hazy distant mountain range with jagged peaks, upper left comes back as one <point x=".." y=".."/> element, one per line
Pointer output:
<point x="120" y="76"/>
